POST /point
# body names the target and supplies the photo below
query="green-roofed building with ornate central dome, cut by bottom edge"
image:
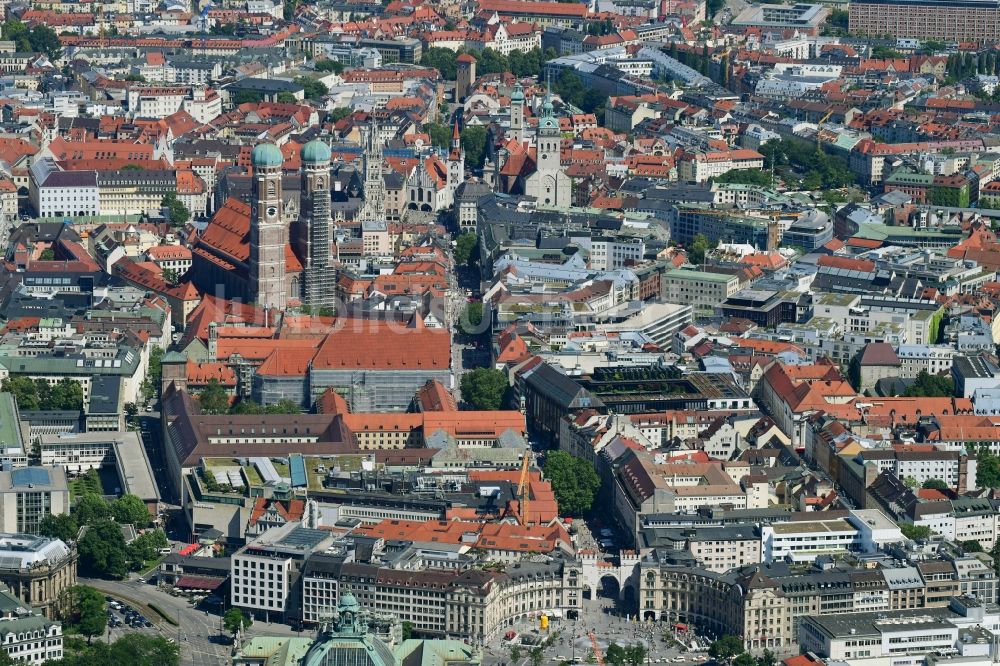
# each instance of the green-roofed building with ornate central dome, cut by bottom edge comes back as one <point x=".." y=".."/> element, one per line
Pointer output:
<point x="344" y="639"/>
